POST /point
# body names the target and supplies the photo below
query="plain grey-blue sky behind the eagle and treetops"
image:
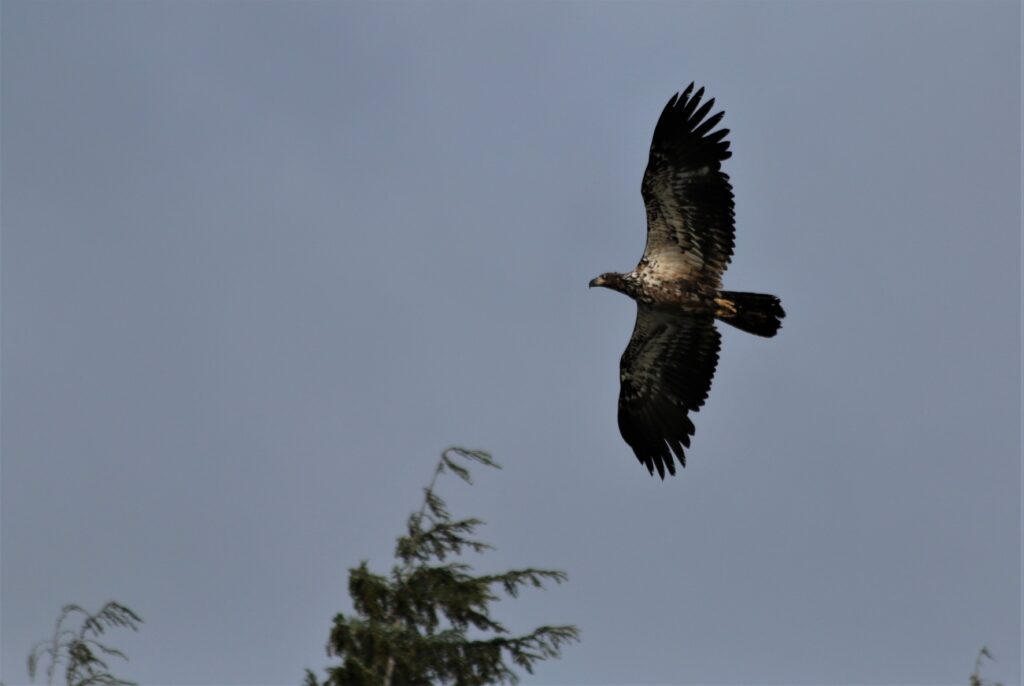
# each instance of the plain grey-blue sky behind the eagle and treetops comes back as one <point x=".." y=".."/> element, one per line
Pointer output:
<point x="262" y="263"/>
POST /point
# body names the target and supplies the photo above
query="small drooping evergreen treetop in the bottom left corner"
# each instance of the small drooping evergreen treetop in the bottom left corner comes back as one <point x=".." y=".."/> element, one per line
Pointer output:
<point x="80" y="650"/>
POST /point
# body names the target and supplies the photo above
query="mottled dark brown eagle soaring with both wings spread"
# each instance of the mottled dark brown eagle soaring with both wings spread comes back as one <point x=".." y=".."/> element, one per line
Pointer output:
<point x="667" y="369"/>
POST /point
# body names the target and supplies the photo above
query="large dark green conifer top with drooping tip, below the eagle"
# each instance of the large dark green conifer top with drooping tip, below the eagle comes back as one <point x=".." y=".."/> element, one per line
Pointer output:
<point x="414" y="627"/>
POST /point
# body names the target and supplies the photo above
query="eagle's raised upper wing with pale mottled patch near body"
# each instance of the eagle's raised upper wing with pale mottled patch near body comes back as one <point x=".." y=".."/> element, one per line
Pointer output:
<point x="690" y="205"/>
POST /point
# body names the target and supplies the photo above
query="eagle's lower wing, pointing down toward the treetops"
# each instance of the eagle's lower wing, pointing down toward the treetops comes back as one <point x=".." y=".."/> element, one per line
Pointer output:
<point x="665" y="373"/>
